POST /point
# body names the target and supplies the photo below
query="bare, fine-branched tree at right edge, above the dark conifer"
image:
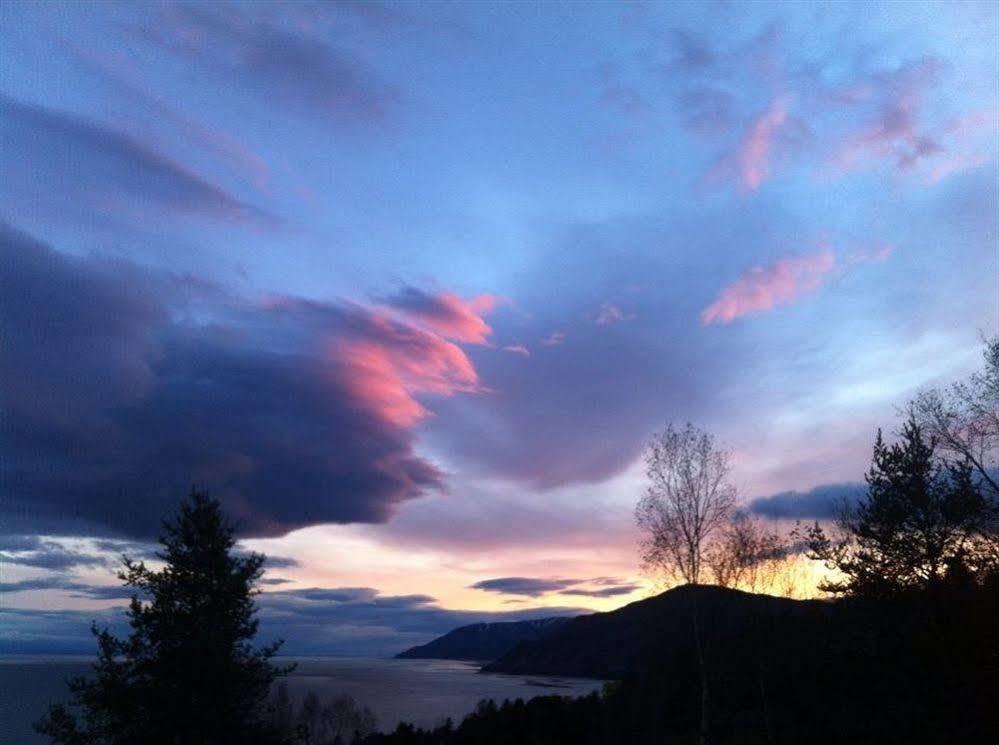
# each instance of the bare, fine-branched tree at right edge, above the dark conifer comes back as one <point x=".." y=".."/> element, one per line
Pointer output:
<point x="964" y="419"/>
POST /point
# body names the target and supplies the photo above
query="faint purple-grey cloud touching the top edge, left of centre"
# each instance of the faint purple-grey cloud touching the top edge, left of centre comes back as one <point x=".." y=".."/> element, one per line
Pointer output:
<point x="283" y="62"/>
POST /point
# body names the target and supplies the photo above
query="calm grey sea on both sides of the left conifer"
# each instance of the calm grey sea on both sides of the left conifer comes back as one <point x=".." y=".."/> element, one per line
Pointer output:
<point x="424" y="692"/>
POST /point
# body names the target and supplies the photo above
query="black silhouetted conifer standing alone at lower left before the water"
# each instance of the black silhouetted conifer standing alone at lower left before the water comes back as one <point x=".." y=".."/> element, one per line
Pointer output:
<point x="187" y="672"/>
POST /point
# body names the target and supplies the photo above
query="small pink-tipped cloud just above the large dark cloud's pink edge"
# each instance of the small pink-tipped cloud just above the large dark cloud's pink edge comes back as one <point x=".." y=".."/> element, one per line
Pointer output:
<point x="447" y="314"/>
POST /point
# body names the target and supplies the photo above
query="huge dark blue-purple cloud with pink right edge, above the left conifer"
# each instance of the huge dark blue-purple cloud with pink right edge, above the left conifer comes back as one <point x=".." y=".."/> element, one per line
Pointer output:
<point x="129" y="386"/>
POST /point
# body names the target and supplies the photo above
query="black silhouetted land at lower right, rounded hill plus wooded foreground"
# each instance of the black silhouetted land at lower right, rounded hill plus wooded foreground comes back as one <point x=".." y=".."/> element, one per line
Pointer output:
<point x="704" y="664"/>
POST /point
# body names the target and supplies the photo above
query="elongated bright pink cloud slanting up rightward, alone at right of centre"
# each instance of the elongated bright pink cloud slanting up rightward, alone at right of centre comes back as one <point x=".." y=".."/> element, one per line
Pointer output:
<point x="762" y="289"/>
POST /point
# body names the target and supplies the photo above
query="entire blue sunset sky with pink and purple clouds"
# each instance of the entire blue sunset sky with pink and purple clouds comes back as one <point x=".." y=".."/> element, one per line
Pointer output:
<point x="408" y="287"/>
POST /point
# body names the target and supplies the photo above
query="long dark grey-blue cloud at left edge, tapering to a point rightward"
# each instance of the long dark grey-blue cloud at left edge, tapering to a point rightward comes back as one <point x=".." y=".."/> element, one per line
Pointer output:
<point x="51" y="155"/>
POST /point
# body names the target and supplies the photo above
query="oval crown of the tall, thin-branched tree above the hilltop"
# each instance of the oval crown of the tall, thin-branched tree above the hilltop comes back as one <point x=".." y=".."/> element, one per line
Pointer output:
<point x="688" y="498"/>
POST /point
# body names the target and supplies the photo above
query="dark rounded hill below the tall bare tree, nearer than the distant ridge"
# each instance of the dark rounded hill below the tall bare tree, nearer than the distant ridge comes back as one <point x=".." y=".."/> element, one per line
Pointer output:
<point x="614" y="644"/>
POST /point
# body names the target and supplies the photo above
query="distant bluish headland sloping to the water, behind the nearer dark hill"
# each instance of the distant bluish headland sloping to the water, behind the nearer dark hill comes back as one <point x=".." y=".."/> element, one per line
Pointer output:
<point x="483" y="641"/>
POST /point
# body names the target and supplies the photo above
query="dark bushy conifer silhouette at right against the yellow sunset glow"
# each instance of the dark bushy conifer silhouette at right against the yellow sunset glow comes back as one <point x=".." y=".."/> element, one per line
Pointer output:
<point x="923" y="518"/>
